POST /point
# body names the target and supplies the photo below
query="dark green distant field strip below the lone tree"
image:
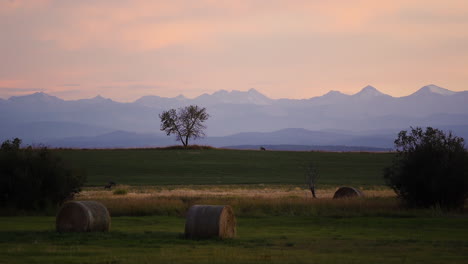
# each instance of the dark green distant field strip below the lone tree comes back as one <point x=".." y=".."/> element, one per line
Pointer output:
<point x="218" y="166"/>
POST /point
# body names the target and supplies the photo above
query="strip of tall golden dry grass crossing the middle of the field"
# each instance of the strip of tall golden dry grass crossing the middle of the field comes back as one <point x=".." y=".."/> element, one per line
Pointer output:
<point x="247" y="201"/>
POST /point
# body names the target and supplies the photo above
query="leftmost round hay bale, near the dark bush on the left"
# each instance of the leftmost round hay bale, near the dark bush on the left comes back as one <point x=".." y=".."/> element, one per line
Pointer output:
<point x="83" y="216"/>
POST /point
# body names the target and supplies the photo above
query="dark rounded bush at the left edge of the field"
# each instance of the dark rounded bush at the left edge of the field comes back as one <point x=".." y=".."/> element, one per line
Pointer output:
<point x="34" y="179"/>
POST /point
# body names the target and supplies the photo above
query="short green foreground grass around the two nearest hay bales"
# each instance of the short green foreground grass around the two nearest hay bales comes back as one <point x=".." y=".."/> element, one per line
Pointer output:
<point x="158" y="239"/>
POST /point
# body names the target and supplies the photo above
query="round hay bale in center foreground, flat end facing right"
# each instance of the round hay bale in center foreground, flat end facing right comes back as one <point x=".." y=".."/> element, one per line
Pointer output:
<point x="206" y="221"/>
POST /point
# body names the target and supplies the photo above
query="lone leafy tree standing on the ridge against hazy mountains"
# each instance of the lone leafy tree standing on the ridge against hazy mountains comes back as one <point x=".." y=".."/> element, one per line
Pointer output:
<point x="185" y="122"/>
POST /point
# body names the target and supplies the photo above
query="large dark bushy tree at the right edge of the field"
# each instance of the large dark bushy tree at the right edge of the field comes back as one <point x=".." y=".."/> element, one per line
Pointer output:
<point x="430" y="169"/>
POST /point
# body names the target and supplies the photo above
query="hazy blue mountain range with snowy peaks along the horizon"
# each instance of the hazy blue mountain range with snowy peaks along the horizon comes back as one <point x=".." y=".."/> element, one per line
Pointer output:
<point x="368" y="118"/>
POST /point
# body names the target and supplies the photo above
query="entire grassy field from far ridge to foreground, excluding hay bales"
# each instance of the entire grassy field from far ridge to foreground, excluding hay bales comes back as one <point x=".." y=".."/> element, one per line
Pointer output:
<point x="276" y="222"/>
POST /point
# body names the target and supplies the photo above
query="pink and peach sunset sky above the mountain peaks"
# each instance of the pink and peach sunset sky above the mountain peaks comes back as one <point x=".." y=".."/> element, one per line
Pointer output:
<point x="125" y="49"/>
